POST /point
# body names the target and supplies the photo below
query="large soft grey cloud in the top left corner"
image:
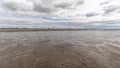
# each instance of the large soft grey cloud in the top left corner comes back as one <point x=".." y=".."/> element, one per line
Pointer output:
<point x="16" y="5"/>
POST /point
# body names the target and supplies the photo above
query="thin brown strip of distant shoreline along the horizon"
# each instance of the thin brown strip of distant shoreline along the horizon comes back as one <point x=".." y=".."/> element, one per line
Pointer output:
<point x="42" y="29"/>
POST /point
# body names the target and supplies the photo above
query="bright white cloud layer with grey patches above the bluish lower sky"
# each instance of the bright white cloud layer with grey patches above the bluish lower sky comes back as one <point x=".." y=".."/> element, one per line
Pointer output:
<point x="76" y="10"/>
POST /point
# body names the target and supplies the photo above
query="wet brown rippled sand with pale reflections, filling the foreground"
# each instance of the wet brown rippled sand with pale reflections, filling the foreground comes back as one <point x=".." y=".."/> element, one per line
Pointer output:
<point x="60" y="49"/>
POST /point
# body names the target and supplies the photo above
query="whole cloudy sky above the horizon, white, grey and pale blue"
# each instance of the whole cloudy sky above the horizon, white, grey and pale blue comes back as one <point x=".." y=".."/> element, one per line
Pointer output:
<point x="59" y="13"/>
